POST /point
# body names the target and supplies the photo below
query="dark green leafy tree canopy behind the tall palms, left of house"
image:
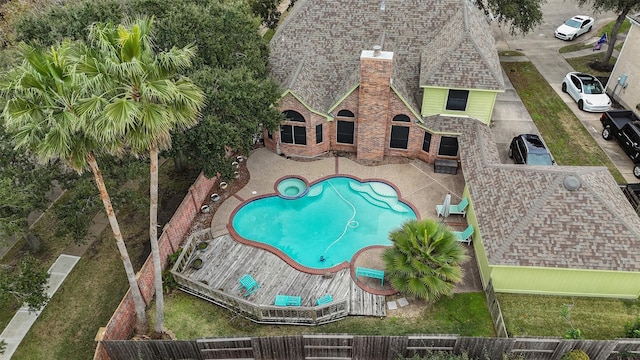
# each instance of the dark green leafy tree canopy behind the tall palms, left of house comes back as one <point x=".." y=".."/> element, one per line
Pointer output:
<point x="231" y="56"/>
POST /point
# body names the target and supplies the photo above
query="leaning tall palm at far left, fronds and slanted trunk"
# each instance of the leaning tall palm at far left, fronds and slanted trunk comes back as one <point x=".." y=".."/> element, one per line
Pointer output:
<point x="43" y="97"/>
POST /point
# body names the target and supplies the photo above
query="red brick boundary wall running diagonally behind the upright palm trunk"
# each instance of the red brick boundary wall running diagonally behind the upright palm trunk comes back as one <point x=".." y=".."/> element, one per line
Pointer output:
<point x="120" y="326"/>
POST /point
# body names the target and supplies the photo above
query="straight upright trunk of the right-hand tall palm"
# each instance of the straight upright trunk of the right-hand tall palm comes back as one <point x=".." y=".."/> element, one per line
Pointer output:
<point x="153" y="238"/>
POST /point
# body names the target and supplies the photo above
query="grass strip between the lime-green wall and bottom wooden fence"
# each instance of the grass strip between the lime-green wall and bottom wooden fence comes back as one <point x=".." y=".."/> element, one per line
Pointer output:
<point x="538" y="315"/>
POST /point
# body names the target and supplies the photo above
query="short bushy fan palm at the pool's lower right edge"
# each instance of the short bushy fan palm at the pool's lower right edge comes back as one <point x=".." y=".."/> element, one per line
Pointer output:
<point x="425" y="259"/>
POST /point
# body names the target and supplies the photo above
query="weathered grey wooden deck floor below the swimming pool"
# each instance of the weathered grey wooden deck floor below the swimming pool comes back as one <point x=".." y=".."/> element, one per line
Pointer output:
<point x="225" y="261"/>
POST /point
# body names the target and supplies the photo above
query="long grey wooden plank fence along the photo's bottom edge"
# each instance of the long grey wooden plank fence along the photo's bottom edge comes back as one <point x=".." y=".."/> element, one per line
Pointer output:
<point x="346" y="347"/>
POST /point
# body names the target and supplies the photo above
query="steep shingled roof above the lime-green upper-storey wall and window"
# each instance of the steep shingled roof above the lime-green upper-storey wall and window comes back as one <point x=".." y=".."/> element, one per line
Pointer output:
<point x="462" y="55"/>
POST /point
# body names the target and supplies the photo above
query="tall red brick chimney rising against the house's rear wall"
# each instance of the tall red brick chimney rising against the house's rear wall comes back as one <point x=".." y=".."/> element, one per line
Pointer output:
<point x="373" y="107"/>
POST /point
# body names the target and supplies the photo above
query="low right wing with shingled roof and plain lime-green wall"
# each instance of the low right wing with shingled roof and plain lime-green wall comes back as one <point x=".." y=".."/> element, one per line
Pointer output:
<point x="560" y="230"/>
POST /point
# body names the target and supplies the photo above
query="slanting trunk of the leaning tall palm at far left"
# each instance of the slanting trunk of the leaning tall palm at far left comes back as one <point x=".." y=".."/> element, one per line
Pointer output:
<point x="142" y="325"/>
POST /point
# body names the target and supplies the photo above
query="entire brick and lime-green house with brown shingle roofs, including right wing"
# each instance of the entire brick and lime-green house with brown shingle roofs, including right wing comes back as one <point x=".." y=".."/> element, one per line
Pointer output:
<point x="419" y="79"/>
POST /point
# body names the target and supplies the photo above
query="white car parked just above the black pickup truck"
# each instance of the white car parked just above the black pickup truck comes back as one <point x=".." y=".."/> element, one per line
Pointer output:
<point x="587" y="91"/>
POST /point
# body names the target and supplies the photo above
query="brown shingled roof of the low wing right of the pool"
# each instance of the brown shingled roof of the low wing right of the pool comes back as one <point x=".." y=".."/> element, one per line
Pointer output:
<point x="526" y="216"/>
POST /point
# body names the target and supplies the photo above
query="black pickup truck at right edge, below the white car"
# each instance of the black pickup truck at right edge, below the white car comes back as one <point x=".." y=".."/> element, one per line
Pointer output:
<point x="624" y="126"/>
